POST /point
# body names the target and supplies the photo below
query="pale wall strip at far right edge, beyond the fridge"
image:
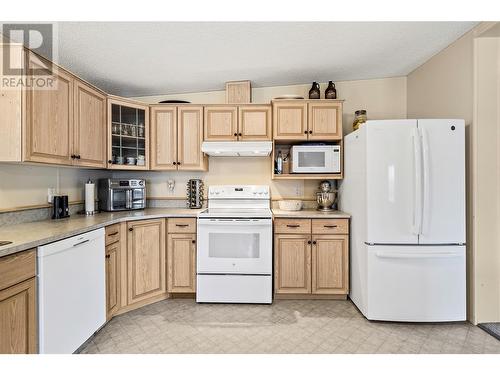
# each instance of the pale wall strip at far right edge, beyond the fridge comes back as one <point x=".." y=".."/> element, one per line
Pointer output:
<point x="486" y="177"/>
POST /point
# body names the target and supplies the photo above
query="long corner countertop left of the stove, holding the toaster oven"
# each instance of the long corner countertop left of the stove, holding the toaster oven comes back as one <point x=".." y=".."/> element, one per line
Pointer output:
<point x="26" y="236"/>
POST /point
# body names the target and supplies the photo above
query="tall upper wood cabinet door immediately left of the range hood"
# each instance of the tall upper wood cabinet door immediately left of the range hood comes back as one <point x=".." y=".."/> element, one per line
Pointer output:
<point x="190" y="137"/>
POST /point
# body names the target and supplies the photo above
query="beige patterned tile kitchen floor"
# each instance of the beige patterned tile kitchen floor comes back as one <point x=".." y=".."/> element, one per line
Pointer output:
<point x="182" y="326"/>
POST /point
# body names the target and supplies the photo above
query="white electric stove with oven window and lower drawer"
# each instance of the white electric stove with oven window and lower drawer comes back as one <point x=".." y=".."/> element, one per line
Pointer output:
<point x="234" y="255"/>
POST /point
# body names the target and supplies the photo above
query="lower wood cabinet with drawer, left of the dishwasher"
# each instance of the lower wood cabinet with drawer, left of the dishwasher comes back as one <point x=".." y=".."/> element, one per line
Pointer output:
<point x="18" y="325"/>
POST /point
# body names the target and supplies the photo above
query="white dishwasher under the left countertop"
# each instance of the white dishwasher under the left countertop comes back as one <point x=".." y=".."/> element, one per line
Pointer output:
<point x="71" y="292"/>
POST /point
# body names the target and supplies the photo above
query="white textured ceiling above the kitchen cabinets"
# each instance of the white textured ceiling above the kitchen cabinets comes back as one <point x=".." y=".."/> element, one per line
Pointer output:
<point x="138" y="59"/>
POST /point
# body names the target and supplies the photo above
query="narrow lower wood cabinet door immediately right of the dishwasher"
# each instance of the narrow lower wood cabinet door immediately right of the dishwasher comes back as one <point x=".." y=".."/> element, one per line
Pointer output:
<point x="112" y="263"/>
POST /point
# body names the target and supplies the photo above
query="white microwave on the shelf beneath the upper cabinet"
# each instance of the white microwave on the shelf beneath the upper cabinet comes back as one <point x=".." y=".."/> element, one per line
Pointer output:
<point x="315" y="159"/>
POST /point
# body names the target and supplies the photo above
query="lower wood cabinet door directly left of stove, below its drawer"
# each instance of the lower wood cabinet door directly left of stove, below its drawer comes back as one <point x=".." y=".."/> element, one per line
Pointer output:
<point x="181" y="261"/>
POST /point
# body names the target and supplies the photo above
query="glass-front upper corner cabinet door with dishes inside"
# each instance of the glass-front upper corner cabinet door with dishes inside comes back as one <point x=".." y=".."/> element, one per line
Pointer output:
<point x="128" y="129"/>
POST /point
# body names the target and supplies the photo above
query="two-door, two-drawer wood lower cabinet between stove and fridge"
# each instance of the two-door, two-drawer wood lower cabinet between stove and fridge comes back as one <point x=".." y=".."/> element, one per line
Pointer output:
<point x="311" y="257"/>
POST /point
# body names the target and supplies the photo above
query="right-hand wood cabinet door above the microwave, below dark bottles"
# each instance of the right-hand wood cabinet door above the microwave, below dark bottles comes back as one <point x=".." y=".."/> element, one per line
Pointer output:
<point x="325" y="121"/>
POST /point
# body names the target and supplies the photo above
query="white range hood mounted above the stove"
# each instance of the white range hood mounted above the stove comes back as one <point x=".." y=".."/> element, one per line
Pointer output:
<point x="237" y="148"/>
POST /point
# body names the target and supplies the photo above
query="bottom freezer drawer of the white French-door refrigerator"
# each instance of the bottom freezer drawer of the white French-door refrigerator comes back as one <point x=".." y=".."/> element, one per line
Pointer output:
<point x="416" y="283"/>
